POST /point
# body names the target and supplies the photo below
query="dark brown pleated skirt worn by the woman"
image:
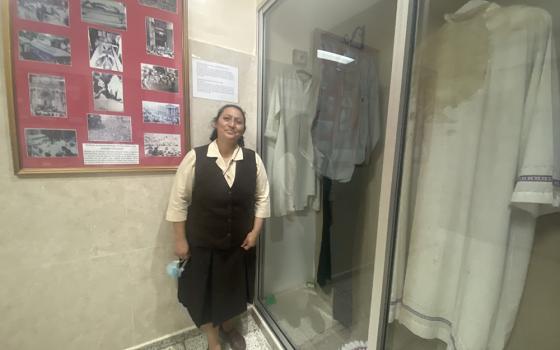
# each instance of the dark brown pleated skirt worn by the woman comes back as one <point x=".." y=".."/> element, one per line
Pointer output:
<point x="216" y="285"/>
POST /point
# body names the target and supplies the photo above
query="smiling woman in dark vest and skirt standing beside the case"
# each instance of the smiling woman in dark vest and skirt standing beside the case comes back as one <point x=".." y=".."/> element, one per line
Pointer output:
<point x="225" y="189"/>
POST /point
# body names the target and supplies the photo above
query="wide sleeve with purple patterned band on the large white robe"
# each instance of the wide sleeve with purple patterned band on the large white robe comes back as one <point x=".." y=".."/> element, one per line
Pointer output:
<point x="536" y="188"/>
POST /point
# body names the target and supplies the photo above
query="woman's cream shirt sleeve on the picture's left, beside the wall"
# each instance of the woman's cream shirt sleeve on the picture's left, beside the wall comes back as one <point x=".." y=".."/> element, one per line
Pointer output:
<point x="181" y="192"/>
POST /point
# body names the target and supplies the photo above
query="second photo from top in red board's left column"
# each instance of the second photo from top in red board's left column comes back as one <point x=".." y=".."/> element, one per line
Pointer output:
<point x="48" y="48"/>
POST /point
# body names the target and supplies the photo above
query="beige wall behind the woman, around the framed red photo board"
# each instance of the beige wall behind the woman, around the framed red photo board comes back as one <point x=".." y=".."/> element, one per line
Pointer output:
<point x="82" y="258"/>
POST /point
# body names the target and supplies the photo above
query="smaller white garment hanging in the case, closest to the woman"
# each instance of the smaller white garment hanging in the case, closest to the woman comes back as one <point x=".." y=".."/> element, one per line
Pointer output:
<point x="294" y="185"/>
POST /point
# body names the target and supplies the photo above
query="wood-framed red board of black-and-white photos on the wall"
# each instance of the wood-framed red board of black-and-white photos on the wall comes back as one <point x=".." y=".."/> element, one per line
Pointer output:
<point x="96" y="85"/>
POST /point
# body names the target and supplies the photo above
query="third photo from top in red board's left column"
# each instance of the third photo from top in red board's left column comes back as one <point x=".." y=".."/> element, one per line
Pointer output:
<point x="47" y="96"/>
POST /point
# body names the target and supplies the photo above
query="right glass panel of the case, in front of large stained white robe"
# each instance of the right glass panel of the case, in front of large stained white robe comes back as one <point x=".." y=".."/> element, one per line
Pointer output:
<point x="476" y="259"/>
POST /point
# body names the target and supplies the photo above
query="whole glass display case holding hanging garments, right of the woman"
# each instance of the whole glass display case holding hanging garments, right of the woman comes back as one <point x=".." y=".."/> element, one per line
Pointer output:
<point x="413" y="150"/>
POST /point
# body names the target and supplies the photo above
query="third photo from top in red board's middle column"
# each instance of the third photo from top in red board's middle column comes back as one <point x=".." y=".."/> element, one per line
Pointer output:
<point x="107" y="92"/>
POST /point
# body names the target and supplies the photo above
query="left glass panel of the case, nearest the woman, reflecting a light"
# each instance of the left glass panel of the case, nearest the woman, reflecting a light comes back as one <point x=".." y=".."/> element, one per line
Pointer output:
<point x="326" y="73"/>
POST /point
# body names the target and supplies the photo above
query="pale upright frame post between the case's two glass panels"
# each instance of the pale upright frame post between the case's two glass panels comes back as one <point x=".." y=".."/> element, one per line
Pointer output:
<point x="405" y="31"/>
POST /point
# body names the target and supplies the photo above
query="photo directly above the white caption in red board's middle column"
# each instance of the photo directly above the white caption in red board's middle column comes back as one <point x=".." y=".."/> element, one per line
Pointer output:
<point x="113" y="128"/>
